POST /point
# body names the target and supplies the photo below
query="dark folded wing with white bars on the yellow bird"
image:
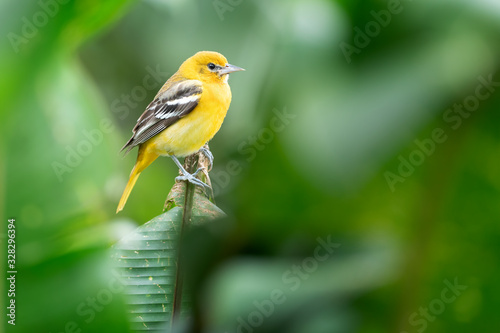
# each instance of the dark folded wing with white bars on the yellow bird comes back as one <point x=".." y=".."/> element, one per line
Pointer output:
<point x="168" y="106"/>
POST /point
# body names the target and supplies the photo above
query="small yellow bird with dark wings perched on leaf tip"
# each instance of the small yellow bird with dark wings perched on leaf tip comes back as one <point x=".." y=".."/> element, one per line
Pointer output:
<point x="185" y="114"/>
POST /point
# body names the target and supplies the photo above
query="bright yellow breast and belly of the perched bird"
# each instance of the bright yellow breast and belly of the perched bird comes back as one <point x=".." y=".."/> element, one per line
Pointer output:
<point x="191" y="132"/>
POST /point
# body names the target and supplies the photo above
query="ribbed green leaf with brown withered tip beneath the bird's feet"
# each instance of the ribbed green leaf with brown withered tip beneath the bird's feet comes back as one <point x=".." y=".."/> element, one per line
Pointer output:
<point x="147" y="261"/>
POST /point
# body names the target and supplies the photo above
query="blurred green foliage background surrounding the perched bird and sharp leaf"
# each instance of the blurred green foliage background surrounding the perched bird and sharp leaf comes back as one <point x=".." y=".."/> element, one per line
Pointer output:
<point x="372" y="125"/>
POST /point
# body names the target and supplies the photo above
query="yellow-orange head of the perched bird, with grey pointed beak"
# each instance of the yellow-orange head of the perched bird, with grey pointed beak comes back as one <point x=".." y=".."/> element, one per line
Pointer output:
<point x="208" y="66"/>
